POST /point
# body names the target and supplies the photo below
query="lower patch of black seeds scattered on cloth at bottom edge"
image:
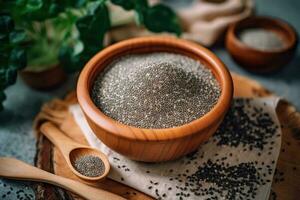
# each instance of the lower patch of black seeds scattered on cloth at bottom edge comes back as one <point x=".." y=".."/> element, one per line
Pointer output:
<point x="233" y="182"/>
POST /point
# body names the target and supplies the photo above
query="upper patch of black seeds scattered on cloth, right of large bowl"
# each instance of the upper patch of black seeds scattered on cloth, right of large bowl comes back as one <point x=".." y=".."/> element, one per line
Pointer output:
<point x="246" y="125"/>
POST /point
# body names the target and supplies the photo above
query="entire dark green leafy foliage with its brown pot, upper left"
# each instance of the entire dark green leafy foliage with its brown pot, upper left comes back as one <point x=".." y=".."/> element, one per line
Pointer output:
<point x="42" y="37"/>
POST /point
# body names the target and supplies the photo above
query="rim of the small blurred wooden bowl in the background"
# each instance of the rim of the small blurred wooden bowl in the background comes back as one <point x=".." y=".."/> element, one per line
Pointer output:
<point x="275" y="22"/>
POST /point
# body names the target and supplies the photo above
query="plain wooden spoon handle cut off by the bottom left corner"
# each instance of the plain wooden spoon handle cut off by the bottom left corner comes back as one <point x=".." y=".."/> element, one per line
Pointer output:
<point x="16" y="169"/>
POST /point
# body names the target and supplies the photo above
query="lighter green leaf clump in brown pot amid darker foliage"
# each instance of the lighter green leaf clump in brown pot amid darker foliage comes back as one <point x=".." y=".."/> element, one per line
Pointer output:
<point x="43" y="70"/>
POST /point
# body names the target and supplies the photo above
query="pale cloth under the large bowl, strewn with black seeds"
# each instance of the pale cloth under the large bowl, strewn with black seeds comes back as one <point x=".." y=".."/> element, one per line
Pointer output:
<point x="238" y="162"/>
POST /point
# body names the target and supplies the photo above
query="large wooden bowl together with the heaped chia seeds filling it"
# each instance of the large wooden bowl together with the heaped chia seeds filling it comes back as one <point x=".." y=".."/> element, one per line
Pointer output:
<point x="172" y="78"/>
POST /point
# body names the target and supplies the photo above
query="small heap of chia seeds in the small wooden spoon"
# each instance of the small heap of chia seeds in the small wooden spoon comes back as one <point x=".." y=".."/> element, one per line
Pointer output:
<point x="91" y="166"/>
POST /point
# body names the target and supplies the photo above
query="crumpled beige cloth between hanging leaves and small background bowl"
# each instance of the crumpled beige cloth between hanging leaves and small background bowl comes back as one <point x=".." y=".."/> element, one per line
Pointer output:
<point x="206" y="22"/>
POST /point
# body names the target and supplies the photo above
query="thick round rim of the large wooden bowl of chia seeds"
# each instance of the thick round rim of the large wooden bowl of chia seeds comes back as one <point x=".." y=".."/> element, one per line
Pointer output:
<point x="131" y="132"/>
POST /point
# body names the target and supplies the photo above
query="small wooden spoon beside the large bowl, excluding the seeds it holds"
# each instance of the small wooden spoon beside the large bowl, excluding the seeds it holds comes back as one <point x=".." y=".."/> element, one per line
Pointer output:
<point x="72" y="150"/>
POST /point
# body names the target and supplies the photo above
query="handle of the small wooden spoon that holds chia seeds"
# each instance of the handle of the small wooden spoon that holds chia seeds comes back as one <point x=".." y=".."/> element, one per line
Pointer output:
<point x="59" y="139"/>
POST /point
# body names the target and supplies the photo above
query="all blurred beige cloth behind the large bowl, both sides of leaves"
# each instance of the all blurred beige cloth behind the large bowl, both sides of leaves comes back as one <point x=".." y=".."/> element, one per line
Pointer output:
<point x="203" y="21"/>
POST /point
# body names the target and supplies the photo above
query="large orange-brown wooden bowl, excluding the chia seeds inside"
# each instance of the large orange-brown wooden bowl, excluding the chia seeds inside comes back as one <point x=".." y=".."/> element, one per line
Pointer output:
<point x="153" y="145"/>
